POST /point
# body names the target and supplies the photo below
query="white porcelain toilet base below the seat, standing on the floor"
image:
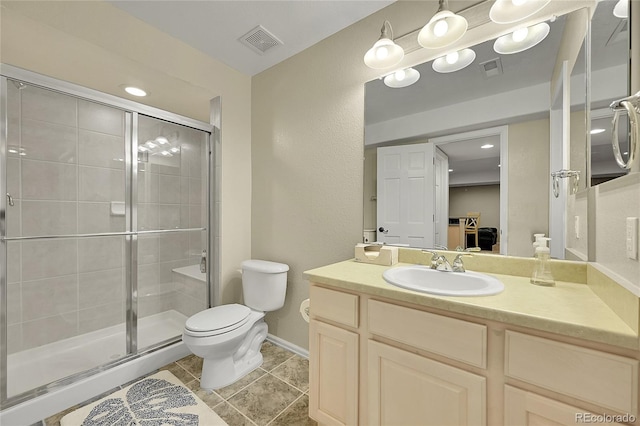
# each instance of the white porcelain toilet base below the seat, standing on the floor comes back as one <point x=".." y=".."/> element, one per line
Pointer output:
<point x="220" y="372"/>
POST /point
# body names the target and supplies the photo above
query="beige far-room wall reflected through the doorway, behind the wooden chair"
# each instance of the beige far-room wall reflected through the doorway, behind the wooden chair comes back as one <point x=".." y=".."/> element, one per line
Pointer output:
<point x="482" y="198"/>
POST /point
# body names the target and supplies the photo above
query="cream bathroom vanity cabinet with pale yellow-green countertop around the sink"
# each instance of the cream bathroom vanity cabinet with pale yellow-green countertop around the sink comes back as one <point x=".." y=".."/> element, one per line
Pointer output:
<point x="382" y="355"/>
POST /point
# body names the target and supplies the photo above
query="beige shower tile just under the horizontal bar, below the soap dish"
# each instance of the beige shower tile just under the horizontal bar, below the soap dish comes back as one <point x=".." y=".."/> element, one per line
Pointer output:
<point x="98" y="254"/>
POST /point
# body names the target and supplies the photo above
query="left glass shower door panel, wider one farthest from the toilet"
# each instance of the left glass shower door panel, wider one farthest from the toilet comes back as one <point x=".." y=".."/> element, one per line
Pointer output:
<point x="65" y="235"/>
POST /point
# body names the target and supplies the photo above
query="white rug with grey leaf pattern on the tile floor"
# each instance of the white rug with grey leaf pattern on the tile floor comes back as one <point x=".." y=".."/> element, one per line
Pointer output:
<point x="156" y="400"/>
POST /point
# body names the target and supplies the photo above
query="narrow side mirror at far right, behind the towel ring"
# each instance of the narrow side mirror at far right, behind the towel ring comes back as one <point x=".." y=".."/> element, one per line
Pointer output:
<point x="609" y="82"/>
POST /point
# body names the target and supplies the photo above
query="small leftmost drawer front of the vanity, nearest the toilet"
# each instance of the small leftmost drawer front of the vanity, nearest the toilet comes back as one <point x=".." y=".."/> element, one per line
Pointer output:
<point x="334" y="305"/>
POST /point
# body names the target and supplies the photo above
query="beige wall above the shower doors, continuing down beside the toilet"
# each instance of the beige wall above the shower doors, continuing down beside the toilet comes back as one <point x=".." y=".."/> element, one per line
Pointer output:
<point x="95" y="45"/>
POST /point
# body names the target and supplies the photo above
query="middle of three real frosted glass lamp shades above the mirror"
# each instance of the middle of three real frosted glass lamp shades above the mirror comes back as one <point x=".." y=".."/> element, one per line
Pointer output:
<point x="443" y="29"/>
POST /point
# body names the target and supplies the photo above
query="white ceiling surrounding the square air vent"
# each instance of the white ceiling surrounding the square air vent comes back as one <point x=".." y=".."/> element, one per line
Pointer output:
<point x="214" y="26"/>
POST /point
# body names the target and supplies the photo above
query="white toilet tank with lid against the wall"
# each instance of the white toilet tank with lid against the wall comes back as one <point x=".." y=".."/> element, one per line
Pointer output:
<point x="264" y="284"/>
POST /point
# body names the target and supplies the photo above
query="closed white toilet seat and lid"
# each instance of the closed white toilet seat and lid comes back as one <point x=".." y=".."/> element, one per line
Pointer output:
<point x="217" y="320"/>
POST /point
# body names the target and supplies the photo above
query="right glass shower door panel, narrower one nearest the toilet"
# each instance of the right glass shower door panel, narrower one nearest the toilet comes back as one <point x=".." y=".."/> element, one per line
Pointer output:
<point x="172" y="212"/>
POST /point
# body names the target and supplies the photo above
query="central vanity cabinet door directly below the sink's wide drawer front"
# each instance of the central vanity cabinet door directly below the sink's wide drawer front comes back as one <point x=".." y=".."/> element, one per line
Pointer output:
<point x="408" y="389"/>
